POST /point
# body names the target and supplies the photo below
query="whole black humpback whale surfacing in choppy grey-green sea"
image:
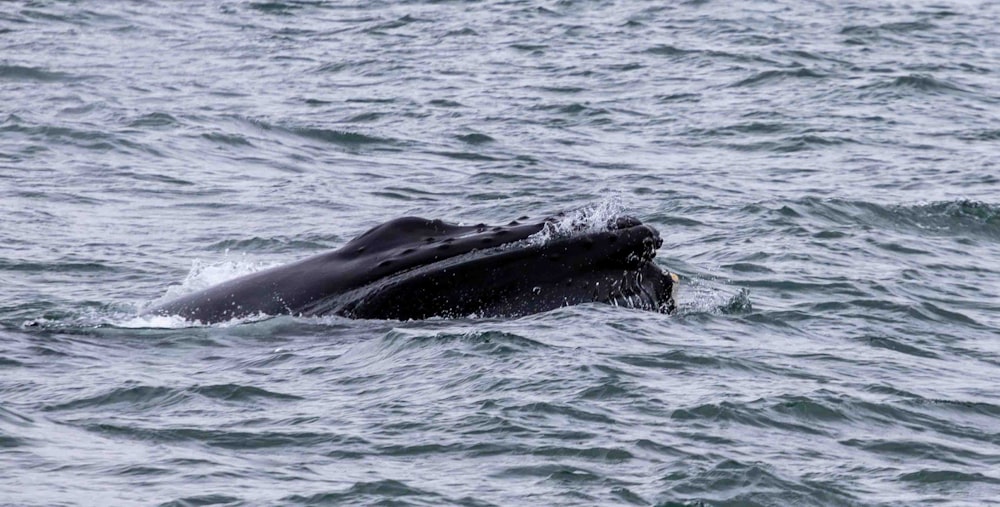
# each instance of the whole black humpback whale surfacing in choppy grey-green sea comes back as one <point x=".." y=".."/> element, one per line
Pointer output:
<point x="413" y="268"/>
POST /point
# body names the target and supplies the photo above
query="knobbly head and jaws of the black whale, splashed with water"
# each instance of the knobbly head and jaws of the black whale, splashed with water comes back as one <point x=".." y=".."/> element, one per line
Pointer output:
<point x="505" y="271"/>
